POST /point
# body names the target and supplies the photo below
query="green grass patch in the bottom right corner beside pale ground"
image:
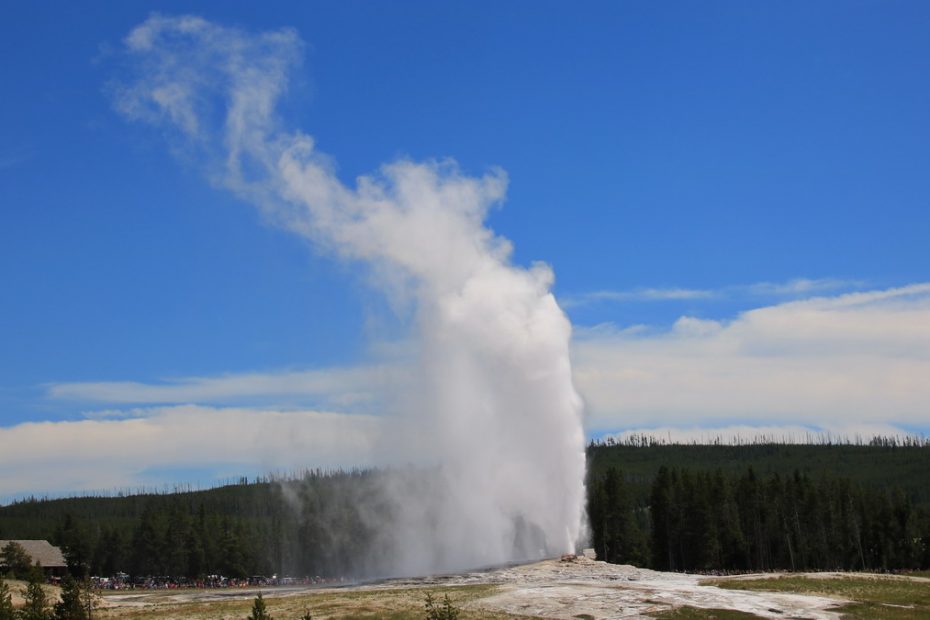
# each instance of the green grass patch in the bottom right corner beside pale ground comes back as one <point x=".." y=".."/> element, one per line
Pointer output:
<point x="874" y="597"/>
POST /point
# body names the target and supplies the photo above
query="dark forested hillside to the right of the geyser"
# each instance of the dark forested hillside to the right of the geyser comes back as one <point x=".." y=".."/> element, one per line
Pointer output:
<point x="761" y="506"/>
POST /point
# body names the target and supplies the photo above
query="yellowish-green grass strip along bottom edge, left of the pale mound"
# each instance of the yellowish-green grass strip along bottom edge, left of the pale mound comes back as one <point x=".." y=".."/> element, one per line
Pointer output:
<point x="391" y="604"/>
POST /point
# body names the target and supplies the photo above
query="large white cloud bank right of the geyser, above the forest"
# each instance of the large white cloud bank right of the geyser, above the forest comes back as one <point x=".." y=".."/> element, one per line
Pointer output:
<point x="831" y="362"/>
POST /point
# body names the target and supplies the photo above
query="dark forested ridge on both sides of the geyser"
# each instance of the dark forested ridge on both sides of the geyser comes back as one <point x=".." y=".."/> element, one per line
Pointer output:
<point x="761" y="506"/>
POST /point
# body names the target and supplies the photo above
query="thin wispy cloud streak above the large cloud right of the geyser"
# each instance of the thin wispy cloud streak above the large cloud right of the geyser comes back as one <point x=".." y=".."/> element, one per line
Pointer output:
<point x="795" y="288"/>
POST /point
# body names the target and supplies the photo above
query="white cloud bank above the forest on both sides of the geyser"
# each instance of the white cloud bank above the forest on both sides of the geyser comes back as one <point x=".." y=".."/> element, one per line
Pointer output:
<point x="843" y="365"/>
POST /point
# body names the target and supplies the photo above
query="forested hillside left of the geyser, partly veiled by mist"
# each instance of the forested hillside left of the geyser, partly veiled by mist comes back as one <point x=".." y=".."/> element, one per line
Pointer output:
<point x="310" y="525"/>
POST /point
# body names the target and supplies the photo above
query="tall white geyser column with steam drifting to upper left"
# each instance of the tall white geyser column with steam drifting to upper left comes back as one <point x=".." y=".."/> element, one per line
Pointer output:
<point x="492" y="407"/>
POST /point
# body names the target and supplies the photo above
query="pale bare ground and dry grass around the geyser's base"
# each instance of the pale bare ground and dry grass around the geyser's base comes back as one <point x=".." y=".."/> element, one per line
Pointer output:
<point x="549" y="589"/>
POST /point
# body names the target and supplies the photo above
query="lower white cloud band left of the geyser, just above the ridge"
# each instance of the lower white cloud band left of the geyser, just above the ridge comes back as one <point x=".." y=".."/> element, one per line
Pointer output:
<point x="104" y="453"/>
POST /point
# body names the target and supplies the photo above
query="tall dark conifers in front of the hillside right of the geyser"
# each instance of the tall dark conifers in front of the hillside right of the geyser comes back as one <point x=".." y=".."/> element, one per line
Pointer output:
<point x="693" y="520"/>
